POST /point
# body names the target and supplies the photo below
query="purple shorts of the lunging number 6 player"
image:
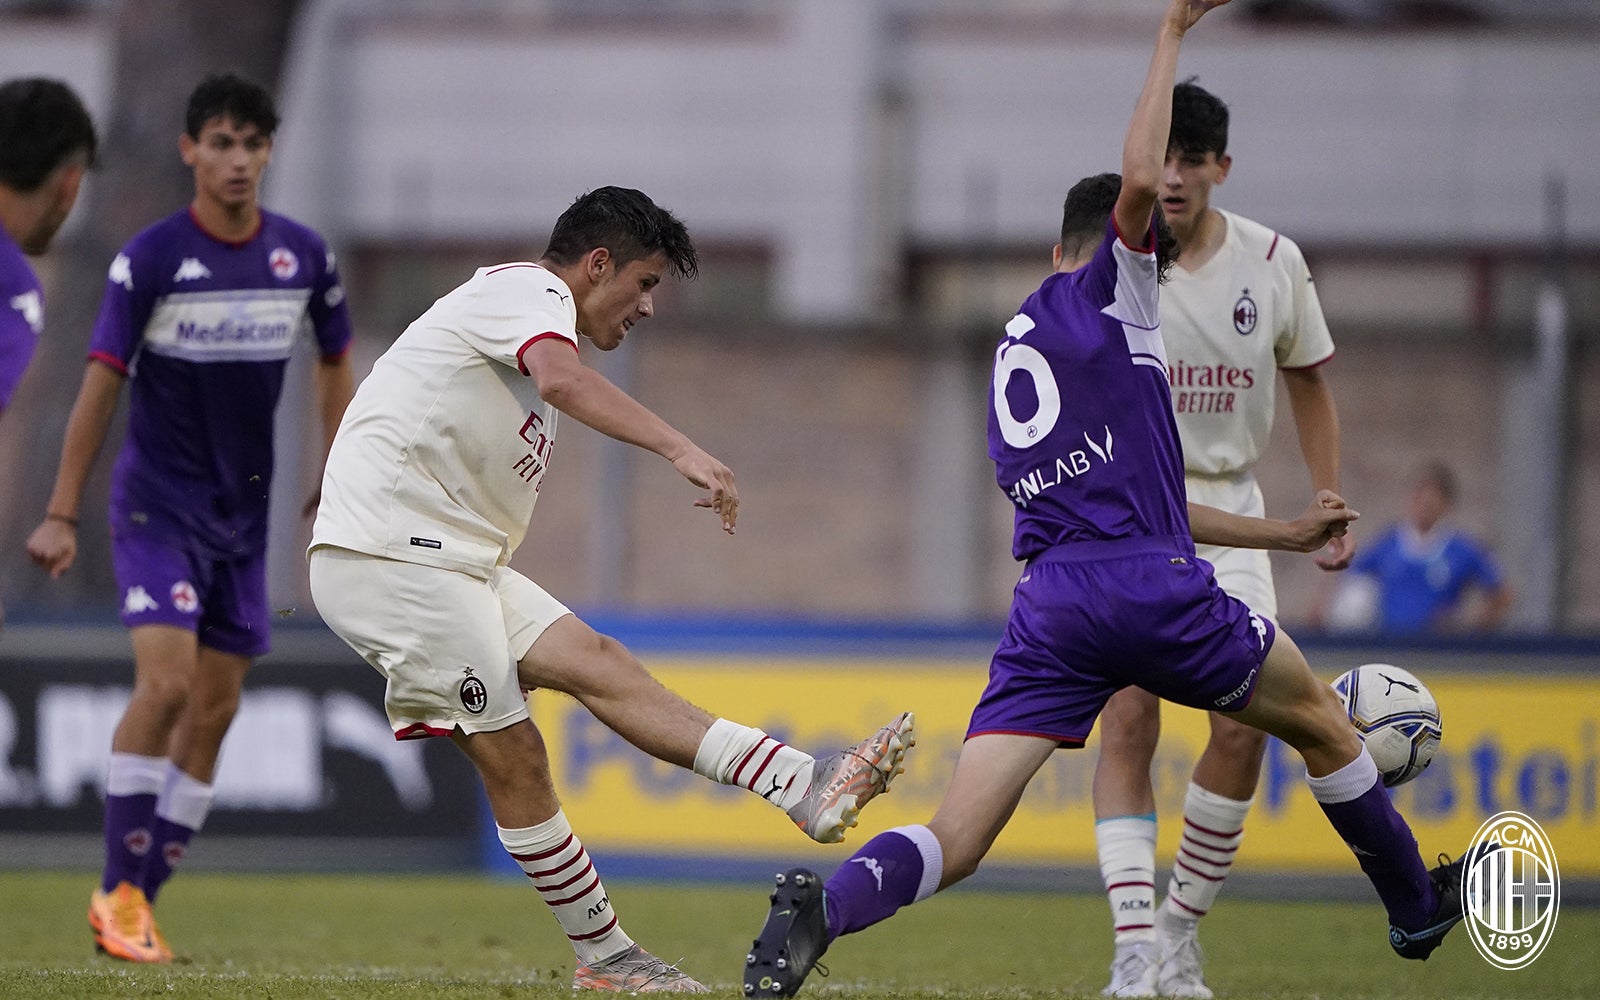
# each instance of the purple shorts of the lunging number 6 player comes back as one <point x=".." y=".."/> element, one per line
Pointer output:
<point x="1092" y="618"/>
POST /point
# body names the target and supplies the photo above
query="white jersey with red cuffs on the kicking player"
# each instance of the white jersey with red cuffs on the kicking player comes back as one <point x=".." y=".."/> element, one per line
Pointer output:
<point x="442" y="452"/>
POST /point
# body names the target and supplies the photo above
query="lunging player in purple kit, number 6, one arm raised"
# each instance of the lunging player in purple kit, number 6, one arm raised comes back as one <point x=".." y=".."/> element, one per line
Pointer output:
<point x="1086" y="444"/>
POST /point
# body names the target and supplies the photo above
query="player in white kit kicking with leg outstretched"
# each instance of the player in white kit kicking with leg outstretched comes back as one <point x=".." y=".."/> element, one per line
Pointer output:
<point x="428" y="492"/>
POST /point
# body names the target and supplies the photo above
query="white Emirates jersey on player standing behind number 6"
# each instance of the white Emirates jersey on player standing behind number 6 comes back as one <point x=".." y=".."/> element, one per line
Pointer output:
<point x="1228" y="327"/>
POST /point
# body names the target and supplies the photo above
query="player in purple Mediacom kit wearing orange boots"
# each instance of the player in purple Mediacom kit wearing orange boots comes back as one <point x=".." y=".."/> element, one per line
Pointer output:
<point x="201" y="314"/>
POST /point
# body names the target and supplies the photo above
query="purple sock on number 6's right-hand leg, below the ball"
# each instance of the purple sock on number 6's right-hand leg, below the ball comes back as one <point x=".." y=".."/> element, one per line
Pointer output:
<point x="1361" y="810"/>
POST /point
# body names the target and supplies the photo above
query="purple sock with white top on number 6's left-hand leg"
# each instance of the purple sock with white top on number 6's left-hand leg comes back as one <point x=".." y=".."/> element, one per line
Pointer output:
<point x="890" y="871"/>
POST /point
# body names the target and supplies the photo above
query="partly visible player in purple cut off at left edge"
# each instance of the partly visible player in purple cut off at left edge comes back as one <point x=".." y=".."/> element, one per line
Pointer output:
<point x="47" y="145"/>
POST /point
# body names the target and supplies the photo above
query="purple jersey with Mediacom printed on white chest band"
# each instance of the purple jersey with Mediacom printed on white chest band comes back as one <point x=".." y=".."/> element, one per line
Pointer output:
<point x="204" y="329"/>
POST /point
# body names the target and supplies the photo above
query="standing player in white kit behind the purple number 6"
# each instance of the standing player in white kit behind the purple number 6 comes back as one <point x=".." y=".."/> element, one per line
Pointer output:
<point x="1238" y="310"/>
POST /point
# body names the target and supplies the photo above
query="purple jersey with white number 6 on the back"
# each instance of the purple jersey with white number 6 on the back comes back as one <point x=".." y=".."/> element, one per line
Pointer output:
<point x="1081" y="415"/>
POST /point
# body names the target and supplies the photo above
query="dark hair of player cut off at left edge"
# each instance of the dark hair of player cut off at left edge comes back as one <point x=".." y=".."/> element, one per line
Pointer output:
<point x="42" y="124"/>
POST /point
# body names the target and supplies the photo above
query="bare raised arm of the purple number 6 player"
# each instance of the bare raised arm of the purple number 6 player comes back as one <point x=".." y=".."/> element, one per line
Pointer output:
<point x="1145" y="148"/>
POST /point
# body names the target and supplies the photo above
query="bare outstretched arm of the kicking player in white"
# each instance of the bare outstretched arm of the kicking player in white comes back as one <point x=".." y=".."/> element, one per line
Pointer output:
<point x="586" y="396"/>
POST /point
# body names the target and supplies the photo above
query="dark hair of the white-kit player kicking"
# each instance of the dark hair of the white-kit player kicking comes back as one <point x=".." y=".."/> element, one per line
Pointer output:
<point x="626" y="223"/>
